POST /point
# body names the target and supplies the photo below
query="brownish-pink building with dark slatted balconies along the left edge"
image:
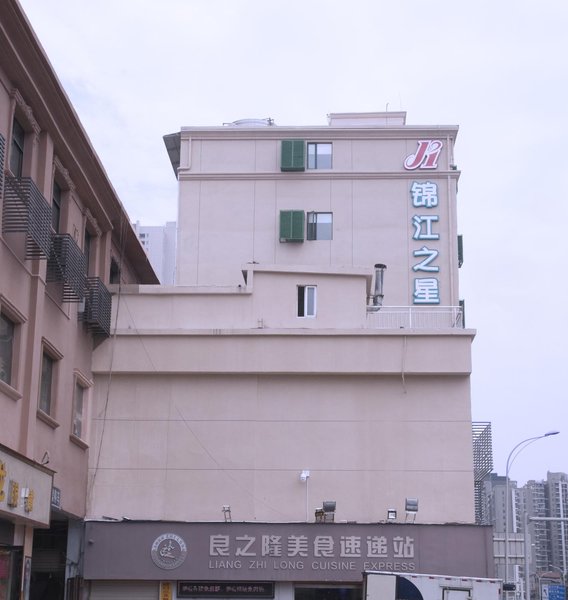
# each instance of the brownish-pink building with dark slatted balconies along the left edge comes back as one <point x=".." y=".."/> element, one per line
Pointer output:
<point x="64" y="238"/>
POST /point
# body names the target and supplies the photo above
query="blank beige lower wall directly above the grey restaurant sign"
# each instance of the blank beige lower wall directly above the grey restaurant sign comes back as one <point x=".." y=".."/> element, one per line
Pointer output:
<point x="202" y="408"/>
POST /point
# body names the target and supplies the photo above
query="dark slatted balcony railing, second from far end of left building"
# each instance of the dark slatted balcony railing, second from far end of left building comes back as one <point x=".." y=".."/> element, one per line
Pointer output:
<point x="67" y="265"/>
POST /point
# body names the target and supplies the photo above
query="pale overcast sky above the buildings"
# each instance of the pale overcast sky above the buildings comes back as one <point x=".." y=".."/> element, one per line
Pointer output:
<point x="138" y="69"/>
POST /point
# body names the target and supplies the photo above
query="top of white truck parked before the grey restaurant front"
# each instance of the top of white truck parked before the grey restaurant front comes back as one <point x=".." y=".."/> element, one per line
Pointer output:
<point x="383" y="585"/>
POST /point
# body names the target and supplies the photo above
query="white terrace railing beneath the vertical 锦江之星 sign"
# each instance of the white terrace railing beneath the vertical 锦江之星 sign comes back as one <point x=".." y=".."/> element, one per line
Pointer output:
<point x="416" y="317"/>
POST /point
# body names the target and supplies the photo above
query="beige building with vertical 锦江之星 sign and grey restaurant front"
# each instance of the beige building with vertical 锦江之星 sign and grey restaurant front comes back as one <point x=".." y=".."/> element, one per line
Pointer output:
<point x="297" y="408"/>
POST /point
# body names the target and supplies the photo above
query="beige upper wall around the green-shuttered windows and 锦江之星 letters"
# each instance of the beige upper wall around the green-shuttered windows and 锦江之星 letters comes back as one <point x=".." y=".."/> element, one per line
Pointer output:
<point x="232" y="191"/>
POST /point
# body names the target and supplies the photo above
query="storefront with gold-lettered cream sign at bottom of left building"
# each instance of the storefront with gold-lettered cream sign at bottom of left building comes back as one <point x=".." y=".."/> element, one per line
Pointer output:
<point x="25" y="499"/>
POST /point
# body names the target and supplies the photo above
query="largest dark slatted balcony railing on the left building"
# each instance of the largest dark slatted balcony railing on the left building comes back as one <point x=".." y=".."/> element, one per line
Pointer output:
<point x="27" y="211"/>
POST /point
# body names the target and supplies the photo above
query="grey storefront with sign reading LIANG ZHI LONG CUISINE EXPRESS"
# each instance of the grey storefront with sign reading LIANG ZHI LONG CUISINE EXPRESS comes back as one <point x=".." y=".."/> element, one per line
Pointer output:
<point x="287" y="561"/>
